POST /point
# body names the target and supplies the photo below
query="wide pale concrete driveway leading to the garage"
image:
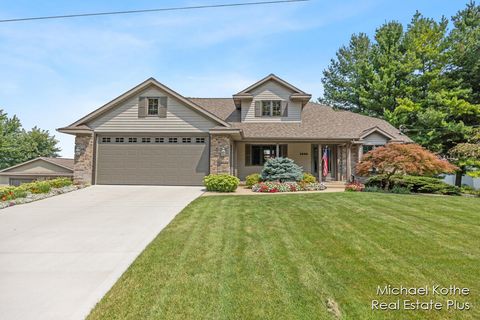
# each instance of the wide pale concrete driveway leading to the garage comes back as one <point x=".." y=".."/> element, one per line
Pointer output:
<point x="60" y="255"/>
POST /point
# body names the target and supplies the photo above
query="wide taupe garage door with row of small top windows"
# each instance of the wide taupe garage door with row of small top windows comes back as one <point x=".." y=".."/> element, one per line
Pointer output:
<point x="152" y="160"/>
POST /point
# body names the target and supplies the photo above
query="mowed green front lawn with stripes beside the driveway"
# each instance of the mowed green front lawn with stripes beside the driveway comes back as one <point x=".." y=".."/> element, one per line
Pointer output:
<point x="284" y="256"/>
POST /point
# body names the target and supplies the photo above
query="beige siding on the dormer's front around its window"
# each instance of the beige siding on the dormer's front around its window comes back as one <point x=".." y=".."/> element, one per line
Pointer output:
<point x="271" y="91"/>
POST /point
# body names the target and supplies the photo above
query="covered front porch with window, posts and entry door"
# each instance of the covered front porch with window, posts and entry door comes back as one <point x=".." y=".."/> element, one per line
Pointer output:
<point x="341" y="157"/>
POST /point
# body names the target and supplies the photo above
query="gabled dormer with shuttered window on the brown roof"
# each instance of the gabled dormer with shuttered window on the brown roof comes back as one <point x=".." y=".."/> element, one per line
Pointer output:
<point x="271" y="99"/>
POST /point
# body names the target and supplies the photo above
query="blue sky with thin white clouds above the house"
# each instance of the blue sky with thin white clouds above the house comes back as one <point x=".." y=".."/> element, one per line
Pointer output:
<point x="53" y="72"/>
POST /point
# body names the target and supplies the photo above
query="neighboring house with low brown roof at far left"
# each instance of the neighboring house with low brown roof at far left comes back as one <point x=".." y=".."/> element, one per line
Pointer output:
<point x="41" y="168"/>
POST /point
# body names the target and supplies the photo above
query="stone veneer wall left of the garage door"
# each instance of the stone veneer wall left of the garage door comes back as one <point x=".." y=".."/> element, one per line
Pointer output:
<point x="83" y="165"/>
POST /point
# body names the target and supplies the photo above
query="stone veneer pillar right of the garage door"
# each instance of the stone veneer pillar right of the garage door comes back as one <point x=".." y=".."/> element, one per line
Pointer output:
<point x="220" y="161"/>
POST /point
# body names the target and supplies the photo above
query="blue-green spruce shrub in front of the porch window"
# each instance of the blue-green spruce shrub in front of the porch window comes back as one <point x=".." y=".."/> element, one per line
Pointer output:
<point x="281" y="169"/>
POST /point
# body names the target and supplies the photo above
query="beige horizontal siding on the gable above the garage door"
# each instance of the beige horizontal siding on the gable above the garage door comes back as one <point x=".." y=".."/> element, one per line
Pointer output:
<point x="124" y="118"/>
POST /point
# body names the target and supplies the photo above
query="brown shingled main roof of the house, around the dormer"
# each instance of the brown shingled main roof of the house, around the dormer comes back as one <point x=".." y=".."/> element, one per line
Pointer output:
<point x="318" y="122"/>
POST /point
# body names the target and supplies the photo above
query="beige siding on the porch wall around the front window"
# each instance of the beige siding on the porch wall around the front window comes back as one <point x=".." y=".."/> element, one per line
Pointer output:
<point x="294" y="150"/>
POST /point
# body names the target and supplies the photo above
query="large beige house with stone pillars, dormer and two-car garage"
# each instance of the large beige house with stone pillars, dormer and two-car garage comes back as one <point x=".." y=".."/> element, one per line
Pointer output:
<point x="153" y="135"/>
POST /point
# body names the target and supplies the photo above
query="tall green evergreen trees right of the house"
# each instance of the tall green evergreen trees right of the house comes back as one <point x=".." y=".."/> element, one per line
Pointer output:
<point x="423" y="79"/>
